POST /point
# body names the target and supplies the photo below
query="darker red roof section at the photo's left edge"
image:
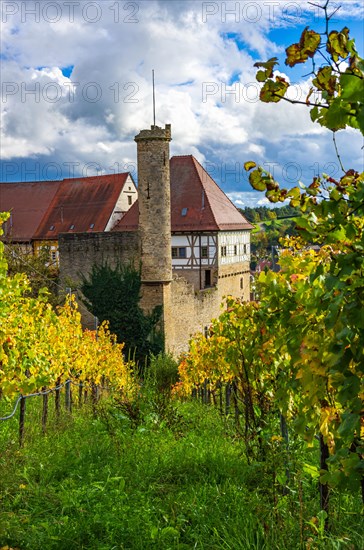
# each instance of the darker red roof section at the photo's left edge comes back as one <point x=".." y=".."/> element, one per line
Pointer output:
<point x="27" y="202"/>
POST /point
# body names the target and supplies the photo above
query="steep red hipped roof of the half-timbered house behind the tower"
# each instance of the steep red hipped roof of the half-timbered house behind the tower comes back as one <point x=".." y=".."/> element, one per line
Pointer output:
<point x="197" y="202"/>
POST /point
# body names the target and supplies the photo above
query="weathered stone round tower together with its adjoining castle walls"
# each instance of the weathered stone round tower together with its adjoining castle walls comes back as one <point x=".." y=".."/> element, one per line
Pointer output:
<point x="186" y="309"/>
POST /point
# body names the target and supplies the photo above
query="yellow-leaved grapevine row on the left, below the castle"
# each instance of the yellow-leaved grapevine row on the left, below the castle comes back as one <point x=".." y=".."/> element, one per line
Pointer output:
<point x="41" y="346"/>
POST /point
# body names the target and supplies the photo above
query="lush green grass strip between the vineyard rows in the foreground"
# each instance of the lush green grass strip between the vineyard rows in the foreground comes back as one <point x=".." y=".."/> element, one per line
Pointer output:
<point x="174" y="477"/>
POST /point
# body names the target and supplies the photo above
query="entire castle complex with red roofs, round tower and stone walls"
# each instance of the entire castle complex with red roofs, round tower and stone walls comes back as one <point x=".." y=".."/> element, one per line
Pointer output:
<point x="192" y="243"/>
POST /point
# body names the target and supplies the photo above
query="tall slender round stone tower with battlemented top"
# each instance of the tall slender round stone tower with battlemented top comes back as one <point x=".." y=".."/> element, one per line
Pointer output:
<point x="155" y="221"/>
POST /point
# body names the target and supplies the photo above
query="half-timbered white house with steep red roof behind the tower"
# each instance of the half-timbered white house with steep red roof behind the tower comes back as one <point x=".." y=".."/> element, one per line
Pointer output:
<point x="210" y="238"/>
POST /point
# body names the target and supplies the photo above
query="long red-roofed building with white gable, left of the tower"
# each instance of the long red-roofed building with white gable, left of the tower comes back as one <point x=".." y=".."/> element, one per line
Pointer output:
<point x="41" y="210"/>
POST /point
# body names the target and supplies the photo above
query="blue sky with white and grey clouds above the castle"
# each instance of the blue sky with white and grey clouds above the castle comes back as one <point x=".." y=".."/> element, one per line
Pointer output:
<point x="76" y="88"/>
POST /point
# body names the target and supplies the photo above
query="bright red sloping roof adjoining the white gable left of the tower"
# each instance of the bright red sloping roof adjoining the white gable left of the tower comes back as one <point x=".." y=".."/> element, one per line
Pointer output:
<point x="81" y="205"/>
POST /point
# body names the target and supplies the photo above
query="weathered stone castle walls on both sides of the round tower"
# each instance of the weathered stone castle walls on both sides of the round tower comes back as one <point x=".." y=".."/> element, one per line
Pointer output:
<point x="186" y="310"/>
